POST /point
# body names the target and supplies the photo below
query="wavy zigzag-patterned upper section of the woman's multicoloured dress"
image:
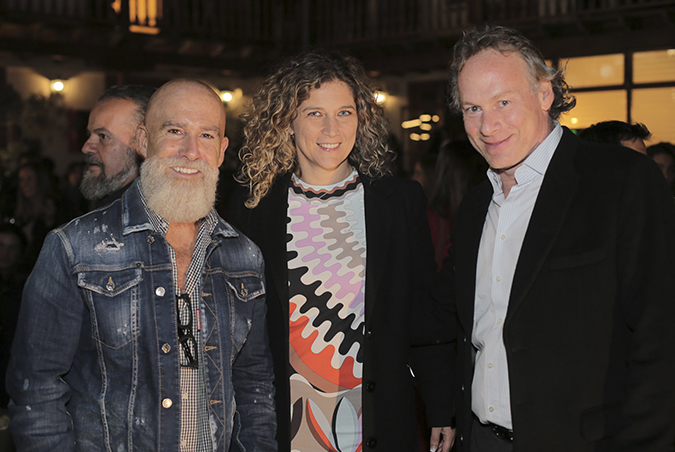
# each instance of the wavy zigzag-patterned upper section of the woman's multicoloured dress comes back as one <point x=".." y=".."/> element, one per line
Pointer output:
<point x="327" y="253"/>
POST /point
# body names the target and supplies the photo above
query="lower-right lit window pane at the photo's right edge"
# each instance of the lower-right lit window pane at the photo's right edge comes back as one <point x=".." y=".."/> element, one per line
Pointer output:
<point x="655" y="107"/>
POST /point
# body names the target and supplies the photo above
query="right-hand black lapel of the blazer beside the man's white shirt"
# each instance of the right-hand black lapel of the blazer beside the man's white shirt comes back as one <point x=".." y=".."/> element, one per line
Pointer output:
<point x="550" y="209"/>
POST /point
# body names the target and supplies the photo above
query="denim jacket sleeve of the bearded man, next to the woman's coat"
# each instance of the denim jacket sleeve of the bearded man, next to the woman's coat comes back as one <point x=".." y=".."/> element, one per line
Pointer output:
<point x="252" y="378"/>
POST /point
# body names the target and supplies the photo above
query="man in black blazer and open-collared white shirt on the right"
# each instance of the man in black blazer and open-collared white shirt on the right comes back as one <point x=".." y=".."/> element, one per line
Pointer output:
<point x="563" y="275"/>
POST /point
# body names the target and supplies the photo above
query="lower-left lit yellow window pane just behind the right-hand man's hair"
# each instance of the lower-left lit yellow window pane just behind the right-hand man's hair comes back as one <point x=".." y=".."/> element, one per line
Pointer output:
<point x="594" y="107"/>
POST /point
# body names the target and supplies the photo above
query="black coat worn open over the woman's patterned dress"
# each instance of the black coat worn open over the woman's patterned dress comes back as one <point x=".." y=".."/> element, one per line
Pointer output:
<point x="402" y="328"/>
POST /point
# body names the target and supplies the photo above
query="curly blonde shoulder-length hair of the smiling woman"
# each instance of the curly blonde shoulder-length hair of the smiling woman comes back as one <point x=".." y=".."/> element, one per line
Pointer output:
<point x="269" y="150"/>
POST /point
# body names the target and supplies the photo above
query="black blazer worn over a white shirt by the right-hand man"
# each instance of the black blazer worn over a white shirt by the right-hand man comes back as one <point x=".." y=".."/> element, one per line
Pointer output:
<point x="590" y="327"/>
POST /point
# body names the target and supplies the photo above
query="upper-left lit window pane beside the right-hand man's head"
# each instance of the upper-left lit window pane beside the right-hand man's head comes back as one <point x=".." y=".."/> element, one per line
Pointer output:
<point x="601" y="70"/>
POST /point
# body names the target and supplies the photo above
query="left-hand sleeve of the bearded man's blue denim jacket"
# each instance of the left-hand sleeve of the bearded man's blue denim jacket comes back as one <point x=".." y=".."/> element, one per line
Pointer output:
<point x="43" y="349"/>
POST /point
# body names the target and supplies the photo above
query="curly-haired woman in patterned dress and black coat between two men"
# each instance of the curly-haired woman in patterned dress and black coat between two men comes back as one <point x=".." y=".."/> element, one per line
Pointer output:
<point x="349" y="263"/>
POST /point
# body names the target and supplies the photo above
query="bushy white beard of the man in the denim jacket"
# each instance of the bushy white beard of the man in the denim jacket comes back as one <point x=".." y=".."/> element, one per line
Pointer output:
<point x="178" y="200"/>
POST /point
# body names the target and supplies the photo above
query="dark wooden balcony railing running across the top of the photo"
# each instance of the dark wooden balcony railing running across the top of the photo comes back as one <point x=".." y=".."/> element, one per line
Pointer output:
<point x="320" y="22"/>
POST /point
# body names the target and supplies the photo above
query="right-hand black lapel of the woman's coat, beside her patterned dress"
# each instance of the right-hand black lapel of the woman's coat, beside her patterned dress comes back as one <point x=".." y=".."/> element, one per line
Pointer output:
<point x="379" y="220"/>
